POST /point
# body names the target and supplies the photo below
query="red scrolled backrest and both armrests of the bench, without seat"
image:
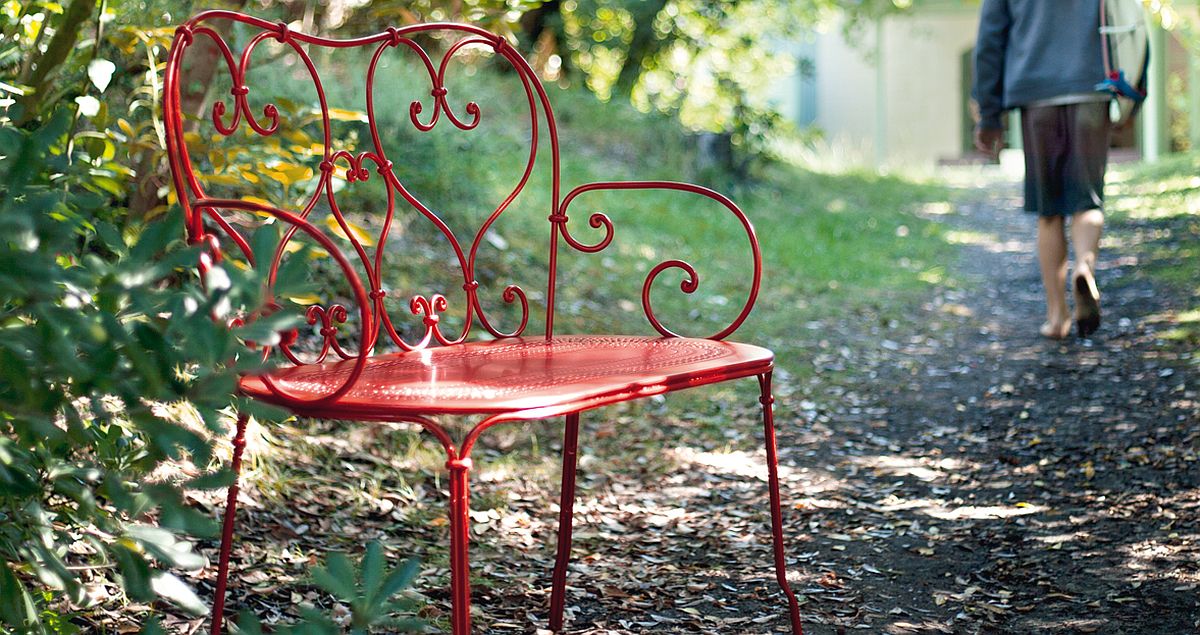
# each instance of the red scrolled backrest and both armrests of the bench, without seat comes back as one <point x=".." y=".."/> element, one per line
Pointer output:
<point x="230" y="113"/>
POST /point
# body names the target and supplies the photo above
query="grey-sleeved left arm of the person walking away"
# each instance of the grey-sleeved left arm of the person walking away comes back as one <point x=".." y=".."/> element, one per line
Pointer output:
<point x="989" y="73"/>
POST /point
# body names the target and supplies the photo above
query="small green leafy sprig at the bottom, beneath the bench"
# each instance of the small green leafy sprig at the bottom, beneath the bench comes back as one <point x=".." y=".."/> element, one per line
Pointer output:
<point x="373" y="595"/>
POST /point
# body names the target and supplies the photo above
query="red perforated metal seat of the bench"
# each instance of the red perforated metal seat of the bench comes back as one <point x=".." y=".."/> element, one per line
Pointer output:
<point x="518" y="374"/>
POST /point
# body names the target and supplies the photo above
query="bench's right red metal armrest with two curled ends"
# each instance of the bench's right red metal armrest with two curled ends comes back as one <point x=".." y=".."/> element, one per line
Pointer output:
<point x="692" y="283"/>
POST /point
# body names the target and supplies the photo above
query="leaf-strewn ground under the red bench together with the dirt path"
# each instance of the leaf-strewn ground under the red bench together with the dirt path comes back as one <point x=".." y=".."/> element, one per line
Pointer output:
<point x="950" y="472"/>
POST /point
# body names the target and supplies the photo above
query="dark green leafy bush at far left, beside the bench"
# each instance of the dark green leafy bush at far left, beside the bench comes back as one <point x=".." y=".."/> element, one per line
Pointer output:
<point x="97" y="351"/>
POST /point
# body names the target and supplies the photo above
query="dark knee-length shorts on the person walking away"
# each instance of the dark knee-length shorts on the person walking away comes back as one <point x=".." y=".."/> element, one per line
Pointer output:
<point x="1066" y="153"/>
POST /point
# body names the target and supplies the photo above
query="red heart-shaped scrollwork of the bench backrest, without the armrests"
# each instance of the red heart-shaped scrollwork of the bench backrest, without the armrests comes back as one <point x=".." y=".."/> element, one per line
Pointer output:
<point x="230" y="113"/>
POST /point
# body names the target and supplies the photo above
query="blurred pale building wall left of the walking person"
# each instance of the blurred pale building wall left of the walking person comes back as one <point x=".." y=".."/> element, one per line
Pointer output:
<point x="922" y="87"/>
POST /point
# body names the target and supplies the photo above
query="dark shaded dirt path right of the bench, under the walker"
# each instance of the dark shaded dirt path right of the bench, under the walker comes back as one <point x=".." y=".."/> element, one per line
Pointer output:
<point x="991" y="482"/>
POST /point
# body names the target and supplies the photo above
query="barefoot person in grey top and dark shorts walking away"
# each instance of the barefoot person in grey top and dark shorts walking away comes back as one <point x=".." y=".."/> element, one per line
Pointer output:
<point x="1043" y="57"/>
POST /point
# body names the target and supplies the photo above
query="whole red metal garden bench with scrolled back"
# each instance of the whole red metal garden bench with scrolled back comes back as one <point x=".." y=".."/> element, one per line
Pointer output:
<point x="509" y="378"/>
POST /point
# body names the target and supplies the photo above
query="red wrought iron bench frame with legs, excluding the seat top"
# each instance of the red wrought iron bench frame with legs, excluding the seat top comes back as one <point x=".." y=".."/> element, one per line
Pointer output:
<point x="207" y="226"/>
